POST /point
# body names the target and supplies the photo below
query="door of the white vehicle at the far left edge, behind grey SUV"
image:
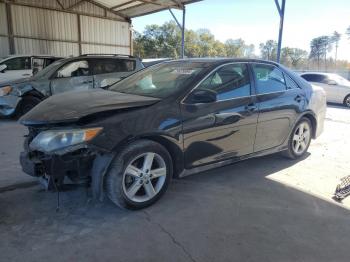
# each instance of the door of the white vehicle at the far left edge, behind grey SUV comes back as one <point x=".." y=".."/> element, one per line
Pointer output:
<point x="17" y="67"/>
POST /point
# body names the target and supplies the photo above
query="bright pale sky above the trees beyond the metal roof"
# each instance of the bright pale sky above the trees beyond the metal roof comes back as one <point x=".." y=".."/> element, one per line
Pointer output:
<point x="256" y="21"/>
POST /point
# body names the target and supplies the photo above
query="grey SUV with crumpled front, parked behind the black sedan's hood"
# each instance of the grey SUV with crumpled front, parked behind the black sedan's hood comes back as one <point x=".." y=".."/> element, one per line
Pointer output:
<point x="77" y="73"/>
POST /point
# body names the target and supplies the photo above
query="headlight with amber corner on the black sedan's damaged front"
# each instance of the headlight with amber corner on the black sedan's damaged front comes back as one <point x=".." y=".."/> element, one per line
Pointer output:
<point x="48" y="141"/>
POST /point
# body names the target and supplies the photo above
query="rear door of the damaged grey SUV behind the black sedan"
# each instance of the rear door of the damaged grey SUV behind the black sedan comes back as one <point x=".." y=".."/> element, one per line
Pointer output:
<point x="107" y="71"/>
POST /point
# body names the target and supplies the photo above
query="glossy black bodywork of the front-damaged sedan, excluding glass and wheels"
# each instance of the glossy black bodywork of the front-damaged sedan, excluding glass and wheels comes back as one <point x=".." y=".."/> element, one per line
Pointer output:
<point x="196" y="135"/>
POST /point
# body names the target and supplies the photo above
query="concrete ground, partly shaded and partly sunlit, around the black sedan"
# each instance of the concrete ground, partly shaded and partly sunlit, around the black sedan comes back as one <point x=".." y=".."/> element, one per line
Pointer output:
<point x="264" y="209"/>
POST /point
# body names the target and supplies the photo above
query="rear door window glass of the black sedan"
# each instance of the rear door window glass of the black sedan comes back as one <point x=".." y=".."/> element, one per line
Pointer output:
<point x="269" y="79"/>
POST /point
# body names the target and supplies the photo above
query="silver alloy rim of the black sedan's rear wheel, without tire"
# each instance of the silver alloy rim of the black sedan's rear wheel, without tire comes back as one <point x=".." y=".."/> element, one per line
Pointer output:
<point x="301" y="138"/>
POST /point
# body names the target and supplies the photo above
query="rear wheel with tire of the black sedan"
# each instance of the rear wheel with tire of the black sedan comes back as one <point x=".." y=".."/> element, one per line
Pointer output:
<point x="299" y="140"/>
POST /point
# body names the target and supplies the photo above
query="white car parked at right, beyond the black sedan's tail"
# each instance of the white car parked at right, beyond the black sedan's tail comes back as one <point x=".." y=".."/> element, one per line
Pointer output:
<point x="336" y="87"/>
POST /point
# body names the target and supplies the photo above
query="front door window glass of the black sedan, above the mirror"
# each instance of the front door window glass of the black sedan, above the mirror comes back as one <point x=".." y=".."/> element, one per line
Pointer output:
<point x="228" y="82"/>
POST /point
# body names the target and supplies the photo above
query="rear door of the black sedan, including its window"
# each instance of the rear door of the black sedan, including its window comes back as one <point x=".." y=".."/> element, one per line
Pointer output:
<point x="280" y="101"/>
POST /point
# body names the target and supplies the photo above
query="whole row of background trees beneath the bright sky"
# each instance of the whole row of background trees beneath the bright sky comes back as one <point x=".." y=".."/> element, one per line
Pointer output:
<point x="164" y="41"/>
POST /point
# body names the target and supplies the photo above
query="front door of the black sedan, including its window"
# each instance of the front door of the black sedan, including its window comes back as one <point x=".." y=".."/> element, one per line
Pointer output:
<point x="225" y="128"/>
